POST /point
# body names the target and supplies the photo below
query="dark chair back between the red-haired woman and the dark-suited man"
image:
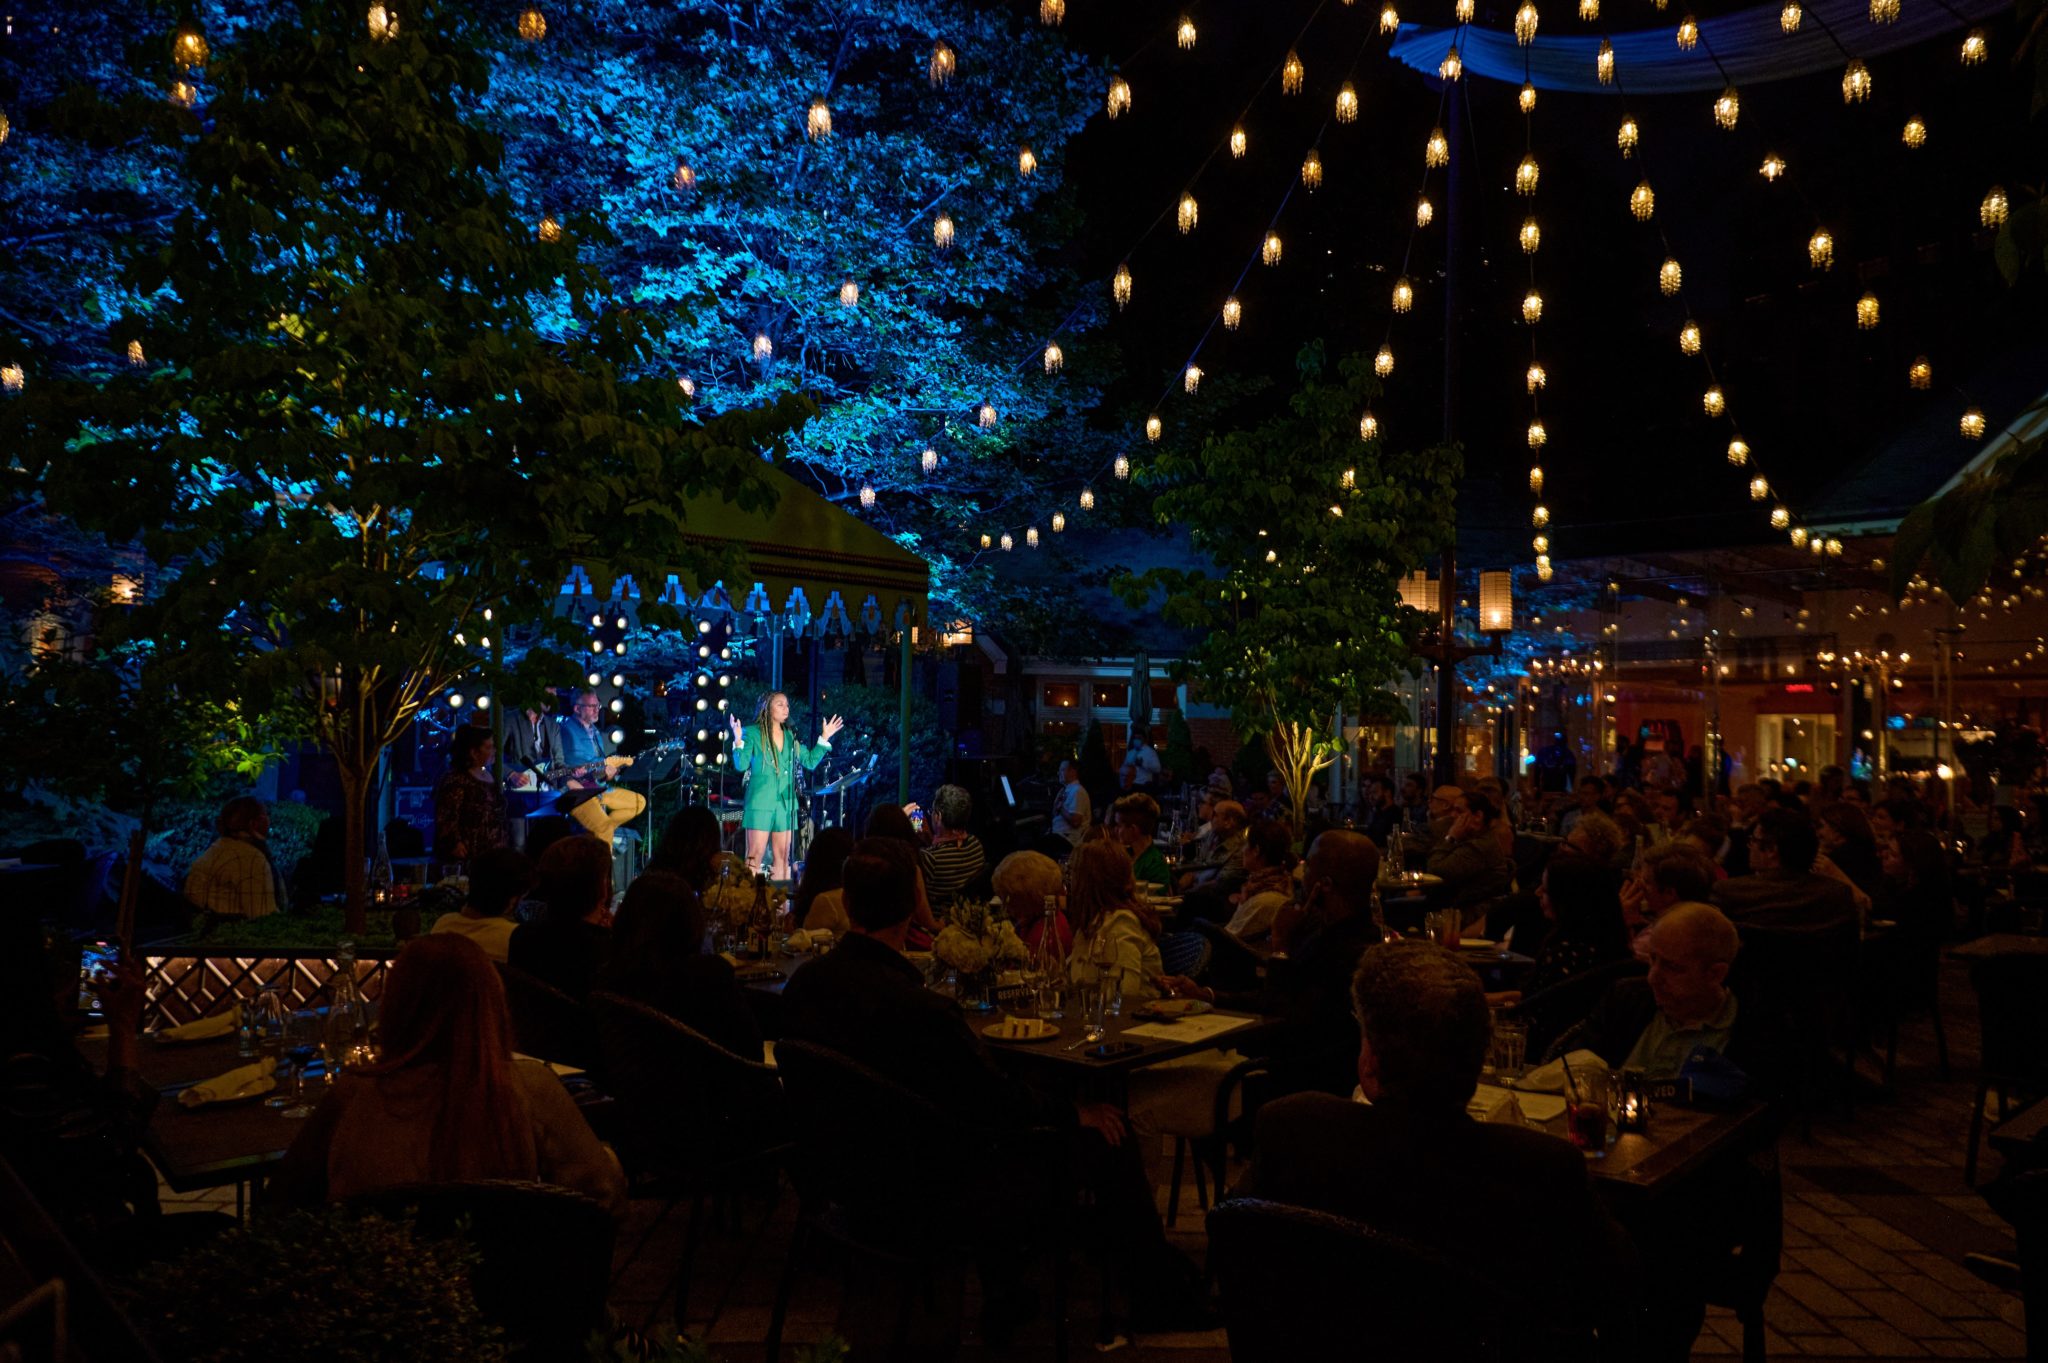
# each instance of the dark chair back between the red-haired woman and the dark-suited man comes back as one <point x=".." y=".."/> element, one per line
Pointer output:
<point x="685" y="1102"/>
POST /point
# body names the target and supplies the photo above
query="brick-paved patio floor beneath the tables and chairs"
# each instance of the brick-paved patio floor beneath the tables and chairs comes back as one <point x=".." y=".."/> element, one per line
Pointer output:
<point x="1877" y="1229"/>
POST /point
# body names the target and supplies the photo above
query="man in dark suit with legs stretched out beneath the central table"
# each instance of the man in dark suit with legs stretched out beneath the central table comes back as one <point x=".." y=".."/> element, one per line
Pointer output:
<point x="867" y="1002"/>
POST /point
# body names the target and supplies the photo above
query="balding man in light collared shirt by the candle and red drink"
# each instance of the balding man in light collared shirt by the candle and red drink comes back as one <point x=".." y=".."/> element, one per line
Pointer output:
<point x="1658" y="1022"/>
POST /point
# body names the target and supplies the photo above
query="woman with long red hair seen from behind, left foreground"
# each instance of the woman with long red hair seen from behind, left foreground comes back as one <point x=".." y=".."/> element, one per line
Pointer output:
<point x="447" y="1102"/>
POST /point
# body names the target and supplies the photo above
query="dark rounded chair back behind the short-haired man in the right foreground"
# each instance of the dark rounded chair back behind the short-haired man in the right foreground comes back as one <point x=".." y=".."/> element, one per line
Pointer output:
<point x="1398" y="1301"/>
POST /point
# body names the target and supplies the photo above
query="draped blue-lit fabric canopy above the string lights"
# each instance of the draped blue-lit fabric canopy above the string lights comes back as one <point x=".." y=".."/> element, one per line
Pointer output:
<point x="1750" y="46"/>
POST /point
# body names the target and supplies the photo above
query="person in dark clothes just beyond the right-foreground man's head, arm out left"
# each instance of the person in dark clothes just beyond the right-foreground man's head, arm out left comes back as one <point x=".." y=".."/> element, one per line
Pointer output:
<point x="1308" y="987"/>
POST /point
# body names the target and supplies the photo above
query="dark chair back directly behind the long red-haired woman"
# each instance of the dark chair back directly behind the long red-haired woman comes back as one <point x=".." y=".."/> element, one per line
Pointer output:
<point x="546" y="1254"/>
